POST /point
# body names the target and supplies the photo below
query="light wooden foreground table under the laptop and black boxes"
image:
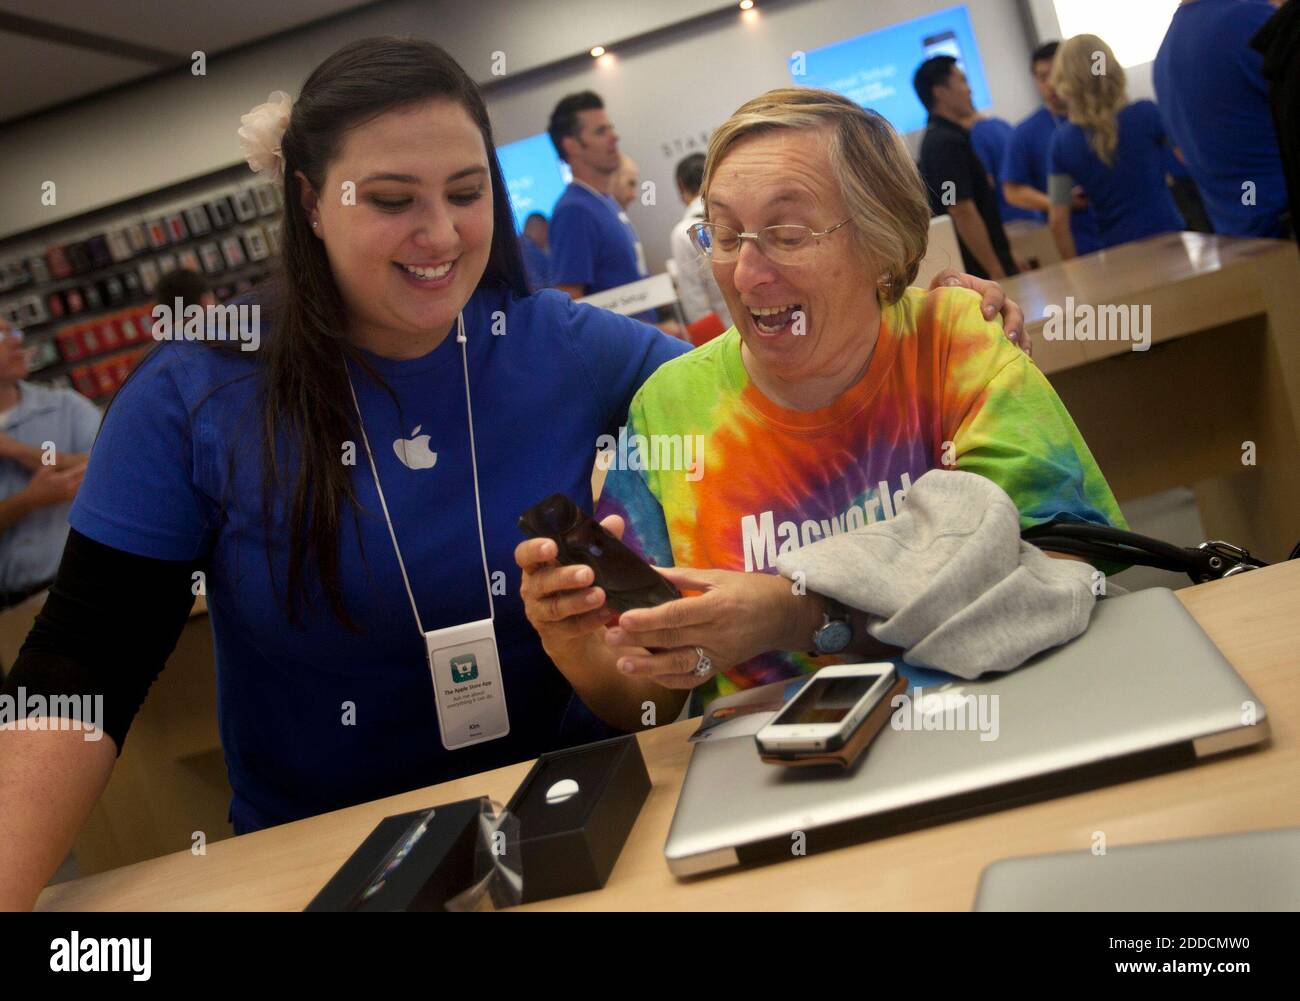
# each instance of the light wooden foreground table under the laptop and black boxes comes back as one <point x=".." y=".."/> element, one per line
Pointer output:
<point x="1253" y="618"/>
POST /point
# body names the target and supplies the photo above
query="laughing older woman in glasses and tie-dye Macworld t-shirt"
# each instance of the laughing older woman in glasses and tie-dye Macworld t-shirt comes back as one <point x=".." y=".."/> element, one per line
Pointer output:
<point x="838" y="388"/>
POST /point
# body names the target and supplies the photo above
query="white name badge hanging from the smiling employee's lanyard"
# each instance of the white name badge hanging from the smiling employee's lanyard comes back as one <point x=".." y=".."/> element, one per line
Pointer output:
<point x="467" y="684"/>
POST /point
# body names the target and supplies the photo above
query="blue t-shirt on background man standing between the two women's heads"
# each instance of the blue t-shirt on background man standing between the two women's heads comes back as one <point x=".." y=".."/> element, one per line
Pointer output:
<point x="593" y="244"/>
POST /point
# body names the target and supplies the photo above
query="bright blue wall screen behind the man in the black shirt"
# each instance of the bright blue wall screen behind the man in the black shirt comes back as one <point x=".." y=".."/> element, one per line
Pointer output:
<point x="876" y="70"/>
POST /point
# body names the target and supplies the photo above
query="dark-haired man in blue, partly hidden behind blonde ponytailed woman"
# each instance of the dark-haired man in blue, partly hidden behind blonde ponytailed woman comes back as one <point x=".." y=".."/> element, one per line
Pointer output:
<point x="1024" y="172"/>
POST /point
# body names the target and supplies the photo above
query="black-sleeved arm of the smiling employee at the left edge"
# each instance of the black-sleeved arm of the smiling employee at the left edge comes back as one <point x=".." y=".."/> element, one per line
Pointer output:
<point x="107" y="629"/>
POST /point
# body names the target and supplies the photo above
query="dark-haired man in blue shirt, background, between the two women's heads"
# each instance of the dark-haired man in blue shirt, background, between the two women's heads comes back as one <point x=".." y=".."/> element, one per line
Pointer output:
<point x="593" y="244"/>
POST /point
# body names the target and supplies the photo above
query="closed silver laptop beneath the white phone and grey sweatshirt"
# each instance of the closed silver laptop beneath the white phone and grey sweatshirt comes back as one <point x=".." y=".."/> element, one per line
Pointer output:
<point x="1143" y="691"/>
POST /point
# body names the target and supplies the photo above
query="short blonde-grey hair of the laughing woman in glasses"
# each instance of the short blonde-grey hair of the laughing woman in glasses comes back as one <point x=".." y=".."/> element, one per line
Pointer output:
<point x="869" y="162"/>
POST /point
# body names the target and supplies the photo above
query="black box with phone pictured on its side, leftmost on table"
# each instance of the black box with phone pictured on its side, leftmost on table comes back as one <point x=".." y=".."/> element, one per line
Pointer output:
<point x="410" y="863"/>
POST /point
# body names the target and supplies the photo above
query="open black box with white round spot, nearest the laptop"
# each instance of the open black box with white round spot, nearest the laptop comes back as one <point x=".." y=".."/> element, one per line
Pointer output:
<point x="575" y="811"/>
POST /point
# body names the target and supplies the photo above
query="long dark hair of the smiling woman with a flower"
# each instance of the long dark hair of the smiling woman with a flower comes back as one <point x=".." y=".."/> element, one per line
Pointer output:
<point x="306" y="402"/>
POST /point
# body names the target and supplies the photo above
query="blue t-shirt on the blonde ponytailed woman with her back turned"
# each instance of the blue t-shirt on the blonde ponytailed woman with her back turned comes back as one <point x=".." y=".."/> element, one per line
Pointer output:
<point x="1130" y="198"/>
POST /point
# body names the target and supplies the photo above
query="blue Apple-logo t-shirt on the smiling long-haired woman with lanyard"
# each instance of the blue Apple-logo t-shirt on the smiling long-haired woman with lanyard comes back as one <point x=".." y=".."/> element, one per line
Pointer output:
<point x="315" y="717"/>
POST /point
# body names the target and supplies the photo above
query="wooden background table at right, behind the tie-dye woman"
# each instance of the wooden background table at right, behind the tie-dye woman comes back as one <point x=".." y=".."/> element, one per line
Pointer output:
<point x="1219" y="389"/>
